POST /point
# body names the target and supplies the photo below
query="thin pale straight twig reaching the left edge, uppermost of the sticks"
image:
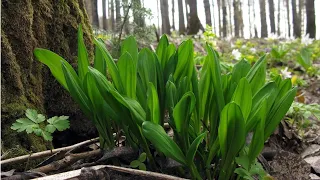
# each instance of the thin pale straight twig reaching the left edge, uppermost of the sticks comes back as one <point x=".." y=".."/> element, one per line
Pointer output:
<point x="46" y="153"/>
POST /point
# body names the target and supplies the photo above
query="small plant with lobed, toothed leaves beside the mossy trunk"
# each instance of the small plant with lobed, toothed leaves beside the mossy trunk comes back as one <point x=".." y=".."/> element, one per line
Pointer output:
<point x="37" y="123"/>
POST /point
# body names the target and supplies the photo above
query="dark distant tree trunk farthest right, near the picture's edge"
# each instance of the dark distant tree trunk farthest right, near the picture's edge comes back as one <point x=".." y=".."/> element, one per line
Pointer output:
<point x="311" y="23"/>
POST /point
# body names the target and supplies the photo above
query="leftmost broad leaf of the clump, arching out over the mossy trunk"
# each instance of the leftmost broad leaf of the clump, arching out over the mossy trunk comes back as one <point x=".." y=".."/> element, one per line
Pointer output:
<point x="53" y="61"/>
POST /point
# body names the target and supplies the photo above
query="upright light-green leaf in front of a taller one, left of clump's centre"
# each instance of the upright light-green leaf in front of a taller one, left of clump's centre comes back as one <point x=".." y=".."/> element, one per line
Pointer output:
<point x="128" y="74"/>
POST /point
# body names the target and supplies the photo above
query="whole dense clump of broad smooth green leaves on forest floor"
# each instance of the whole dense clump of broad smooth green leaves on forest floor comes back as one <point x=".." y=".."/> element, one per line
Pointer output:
<point x="210" y="112"/>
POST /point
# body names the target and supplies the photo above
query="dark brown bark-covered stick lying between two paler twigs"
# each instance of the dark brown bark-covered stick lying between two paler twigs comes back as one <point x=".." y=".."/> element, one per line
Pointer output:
<point x="68" y="160"/>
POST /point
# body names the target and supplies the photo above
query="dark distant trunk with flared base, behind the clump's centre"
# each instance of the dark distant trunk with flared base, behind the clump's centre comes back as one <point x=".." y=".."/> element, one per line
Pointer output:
<point x="194" y="23"/>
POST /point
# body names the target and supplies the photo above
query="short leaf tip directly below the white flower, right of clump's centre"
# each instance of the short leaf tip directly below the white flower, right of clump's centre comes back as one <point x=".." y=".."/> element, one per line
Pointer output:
<point x="240" y="70"/>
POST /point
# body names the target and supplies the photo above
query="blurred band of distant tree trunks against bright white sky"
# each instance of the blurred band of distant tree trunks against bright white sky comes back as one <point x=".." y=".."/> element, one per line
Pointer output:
<point x="228" y="18"/>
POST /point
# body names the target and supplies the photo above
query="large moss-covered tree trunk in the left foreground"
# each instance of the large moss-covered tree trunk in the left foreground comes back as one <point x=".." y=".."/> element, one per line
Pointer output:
<point x="27" y="83"/>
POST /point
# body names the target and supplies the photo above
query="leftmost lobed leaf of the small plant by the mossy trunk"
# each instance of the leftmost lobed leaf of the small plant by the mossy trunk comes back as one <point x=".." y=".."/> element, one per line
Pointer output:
<point x="24" y="124"/>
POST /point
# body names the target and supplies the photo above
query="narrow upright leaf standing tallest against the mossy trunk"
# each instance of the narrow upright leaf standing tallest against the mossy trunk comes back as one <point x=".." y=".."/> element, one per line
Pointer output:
<point x="83" y="61"/>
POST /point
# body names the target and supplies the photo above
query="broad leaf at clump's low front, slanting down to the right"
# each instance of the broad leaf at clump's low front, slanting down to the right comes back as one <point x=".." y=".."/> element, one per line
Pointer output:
<point x="159" y="138"/>
